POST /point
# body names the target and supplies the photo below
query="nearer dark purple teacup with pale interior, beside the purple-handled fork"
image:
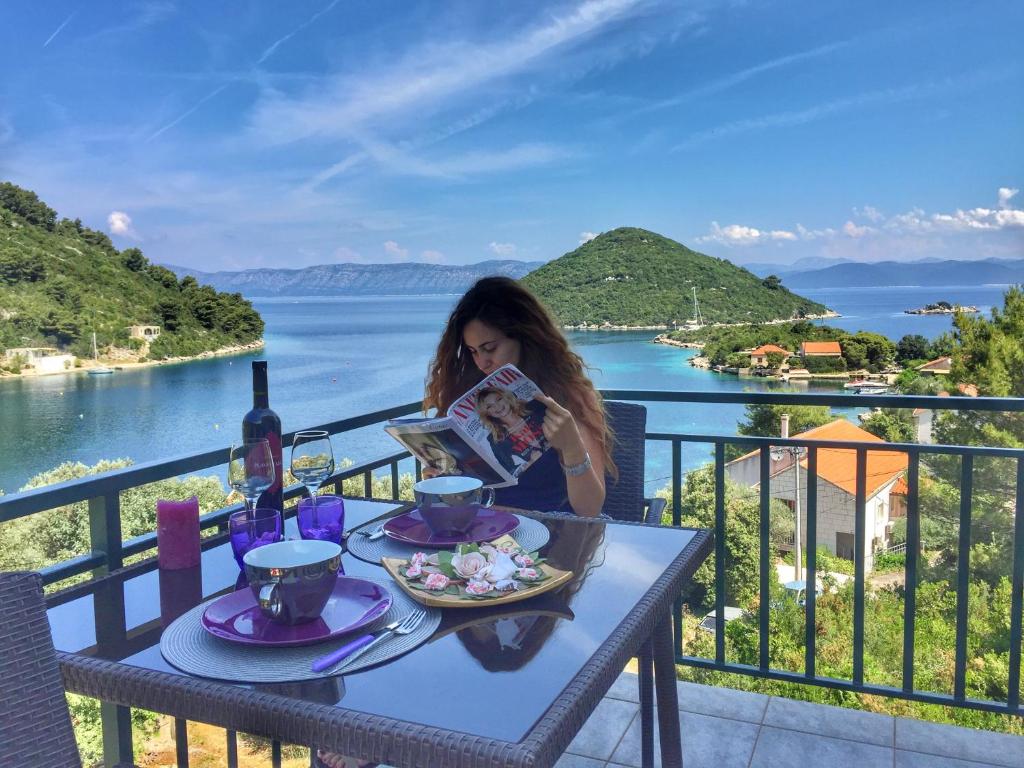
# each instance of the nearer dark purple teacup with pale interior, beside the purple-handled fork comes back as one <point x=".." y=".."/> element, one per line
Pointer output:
<point x="292" y="581"/>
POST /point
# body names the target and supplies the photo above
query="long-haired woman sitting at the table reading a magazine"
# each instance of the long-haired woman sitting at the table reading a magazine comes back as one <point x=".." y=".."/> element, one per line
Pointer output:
<point x="499" y="322"/>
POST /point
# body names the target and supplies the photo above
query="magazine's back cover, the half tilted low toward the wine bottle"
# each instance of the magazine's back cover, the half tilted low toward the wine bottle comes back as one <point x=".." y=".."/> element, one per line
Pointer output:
<point x="441" y="448"/>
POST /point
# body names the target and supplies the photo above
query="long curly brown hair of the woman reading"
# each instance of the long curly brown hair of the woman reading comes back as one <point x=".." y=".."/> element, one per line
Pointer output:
<point x="545" y="356"/>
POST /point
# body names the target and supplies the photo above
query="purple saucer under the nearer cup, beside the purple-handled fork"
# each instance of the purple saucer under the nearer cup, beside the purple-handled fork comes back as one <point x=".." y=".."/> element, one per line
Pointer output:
<point x="355" y="604"/>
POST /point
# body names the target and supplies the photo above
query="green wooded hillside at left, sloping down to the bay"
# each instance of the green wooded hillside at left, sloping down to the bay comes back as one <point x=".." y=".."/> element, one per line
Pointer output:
<point x="62" y="282"/>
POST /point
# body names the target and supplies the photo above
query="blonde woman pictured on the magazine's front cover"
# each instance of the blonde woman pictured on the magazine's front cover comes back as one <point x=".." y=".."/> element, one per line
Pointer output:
<point x="516" y="429"/>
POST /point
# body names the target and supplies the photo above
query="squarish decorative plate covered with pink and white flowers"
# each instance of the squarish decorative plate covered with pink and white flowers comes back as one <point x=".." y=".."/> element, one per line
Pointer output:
<point x="476" y="575"/>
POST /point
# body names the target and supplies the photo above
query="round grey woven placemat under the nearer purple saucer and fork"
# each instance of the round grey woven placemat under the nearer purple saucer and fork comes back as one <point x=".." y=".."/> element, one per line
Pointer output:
<point x="191" y="649"/>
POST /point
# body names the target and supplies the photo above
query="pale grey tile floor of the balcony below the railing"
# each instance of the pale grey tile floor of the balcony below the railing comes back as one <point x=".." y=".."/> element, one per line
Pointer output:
<point x="723" y="729"/>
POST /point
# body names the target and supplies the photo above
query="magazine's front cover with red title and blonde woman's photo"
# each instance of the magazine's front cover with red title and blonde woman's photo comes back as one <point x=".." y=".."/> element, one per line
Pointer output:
<point x="501" y="417"/>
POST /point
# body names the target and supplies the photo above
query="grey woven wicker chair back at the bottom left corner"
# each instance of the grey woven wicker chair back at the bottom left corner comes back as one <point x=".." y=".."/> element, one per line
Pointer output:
<point x="35" y="722"/>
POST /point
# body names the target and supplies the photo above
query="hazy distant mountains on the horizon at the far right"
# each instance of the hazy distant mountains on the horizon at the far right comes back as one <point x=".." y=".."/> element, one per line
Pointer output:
<point x="924" y="273"/>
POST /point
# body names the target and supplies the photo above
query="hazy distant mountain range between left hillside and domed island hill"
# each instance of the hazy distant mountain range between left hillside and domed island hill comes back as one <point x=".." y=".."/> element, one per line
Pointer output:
<point x="350" y="279"/>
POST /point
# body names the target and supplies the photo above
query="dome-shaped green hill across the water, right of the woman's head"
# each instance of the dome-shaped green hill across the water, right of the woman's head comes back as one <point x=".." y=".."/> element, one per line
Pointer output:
<point x="631" y="277"/>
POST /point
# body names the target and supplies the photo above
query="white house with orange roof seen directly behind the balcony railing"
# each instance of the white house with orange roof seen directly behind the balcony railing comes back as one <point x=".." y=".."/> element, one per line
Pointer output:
<point x="837" y="488"/>
